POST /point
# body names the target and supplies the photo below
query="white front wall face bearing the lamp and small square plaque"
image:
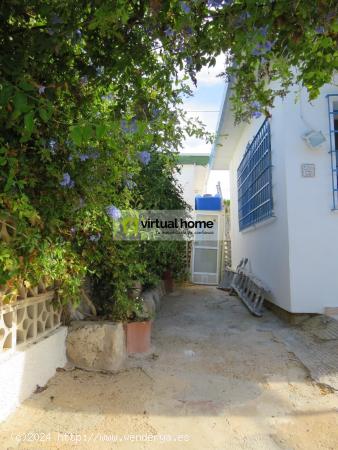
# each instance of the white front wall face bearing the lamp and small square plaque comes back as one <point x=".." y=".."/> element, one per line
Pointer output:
<point x="313" y="226"/>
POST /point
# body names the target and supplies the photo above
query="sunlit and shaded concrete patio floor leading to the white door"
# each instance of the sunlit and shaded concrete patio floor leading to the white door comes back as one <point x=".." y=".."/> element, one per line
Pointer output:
<point x="217" y="378"/>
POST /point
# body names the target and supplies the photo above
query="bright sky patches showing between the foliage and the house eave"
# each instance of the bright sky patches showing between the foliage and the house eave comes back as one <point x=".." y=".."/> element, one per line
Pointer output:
<point x="207" y="100"/>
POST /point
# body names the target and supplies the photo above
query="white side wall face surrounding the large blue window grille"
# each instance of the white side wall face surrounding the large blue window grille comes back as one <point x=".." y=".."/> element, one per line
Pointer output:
<point x="265" y="245"/>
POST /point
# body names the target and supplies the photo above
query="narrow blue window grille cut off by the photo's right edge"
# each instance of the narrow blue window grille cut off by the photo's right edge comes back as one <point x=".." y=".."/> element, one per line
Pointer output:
<point x="332" y="101"/>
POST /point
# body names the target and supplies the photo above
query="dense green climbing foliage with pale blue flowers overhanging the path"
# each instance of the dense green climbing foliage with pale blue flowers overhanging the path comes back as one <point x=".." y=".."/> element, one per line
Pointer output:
<point x="85" y="87"/>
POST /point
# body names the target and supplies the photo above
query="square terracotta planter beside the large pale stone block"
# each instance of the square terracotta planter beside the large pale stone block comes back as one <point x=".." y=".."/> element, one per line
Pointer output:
<point x="138" y="336"/>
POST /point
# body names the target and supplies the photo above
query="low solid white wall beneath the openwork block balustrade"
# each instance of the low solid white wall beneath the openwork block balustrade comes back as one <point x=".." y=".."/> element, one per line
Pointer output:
<point x="22" y="370"/>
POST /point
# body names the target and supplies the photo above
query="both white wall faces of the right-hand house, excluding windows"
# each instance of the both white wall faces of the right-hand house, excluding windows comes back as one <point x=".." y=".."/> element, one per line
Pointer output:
<point x="294" y="254"/>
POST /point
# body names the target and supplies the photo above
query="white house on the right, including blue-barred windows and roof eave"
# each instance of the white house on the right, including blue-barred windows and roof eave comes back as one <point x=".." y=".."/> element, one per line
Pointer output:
<point x="284" y="199"/>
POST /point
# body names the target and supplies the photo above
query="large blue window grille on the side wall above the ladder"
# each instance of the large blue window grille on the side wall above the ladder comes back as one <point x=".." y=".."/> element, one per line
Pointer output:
<point x="254" y="180"/>
